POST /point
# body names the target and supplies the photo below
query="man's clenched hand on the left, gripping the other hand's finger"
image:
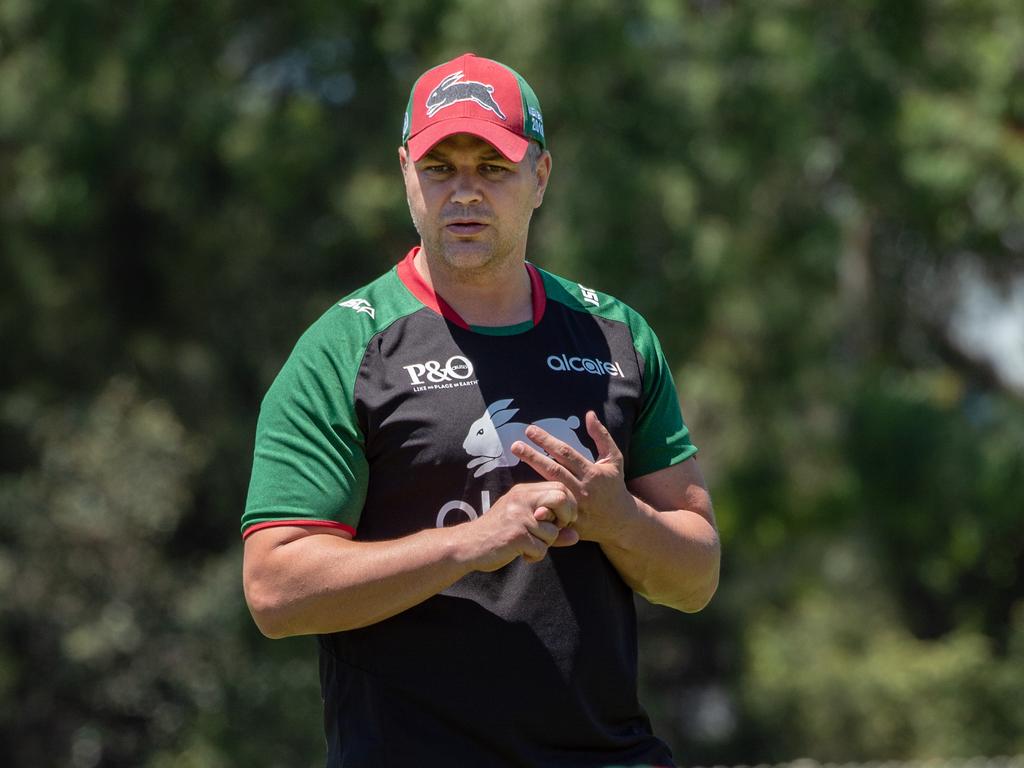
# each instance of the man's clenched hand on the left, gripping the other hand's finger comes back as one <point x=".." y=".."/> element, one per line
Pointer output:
<point x="527" y="521"/>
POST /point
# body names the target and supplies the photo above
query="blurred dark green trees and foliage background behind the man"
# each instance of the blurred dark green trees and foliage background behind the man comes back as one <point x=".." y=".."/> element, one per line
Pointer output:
<point x="820" y="207"/>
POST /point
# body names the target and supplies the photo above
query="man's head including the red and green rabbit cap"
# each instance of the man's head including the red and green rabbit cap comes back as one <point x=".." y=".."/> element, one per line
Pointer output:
<point x="475" y="163"/>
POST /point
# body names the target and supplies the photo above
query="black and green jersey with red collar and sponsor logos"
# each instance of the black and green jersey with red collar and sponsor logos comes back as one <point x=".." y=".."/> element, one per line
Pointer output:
<point x="393" y="415"/>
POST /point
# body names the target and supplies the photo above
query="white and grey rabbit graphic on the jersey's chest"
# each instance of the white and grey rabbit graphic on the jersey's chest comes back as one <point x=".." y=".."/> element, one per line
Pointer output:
<point x="491" y="438"/>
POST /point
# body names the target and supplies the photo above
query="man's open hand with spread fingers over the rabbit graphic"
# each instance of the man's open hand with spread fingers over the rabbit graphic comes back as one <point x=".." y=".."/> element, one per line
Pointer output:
<point x="600" y="488"/>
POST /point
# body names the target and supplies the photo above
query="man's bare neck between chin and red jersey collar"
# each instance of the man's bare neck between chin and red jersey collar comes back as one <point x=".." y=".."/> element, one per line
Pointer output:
<point x="495" y="297"/>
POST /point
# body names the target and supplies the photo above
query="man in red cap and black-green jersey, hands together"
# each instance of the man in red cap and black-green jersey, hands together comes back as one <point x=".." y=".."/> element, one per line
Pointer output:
<point x="466" y="468"/>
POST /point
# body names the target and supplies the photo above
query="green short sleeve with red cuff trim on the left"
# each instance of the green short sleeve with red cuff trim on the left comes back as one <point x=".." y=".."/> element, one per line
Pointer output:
<point x="310" y="466"/>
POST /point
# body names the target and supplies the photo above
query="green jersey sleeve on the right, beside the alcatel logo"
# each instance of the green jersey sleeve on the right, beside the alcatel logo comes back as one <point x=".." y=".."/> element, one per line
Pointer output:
<point x="660" y="437"/>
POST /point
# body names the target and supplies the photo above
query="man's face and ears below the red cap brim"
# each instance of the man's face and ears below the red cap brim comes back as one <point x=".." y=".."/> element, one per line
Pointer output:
<point x="471" y="205"/>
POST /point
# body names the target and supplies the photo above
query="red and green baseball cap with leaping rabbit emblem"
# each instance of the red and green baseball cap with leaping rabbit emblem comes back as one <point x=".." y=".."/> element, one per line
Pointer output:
<point x="472" y="95"/>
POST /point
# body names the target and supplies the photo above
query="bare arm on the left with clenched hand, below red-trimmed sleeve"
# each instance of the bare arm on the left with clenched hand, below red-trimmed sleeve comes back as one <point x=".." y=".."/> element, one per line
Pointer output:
<point x="303" y="581"/>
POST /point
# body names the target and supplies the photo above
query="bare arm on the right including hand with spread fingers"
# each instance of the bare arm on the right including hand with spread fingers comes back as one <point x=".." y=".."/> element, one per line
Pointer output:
<point x="659" y="532"/>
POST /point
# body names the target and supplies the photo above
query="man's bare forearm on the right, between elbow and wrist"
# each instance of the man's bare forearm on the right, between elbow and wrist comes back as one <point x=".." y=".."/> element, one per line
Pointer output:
<point x="670" y="558"/>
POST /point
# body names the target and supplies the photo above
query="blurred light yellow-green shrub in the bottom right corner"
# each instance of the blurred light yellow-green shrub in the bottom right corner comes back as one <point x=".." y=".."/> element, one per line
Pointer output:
<point x="842" y="679"/>
